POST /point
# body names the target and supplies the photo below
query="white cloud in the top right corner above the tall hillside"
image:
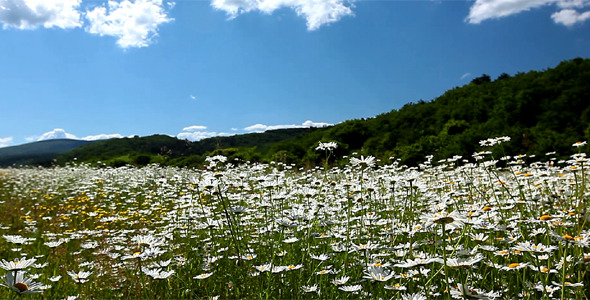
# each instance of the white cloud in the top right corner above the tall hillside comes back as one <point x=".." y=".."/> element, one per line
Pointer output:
<point x="483" y="10"/>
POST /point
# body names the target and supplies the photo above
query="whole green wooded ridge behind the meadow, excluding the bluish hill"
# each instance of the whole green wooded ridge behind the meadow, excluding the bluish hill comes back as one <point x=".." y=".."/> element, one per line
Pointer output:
<point x="542" y="111"/>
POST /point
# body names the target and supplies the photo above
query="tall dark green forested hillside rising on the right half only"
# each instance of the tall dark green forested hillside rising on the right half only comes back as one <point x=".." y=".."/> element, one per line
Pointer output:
<point x="541" y="111"/>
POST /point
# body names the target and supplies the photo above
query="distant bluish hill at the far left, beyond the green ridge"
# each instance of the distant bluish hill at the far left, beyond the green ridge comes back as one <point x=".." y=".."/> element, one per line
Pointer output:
<point x="37" y="153"/>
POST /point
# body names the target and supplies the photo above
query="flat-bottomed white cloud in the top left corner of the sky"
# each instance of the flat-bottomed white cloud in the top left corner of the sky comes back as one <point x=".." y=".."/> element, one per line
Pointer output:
<point x="30" y="14"/>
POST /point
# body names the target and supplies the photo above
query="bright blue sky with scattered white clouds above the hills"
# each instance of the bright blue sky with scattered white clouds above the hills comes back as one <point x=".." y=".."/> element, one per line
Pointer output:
<point x="194" y="69"/>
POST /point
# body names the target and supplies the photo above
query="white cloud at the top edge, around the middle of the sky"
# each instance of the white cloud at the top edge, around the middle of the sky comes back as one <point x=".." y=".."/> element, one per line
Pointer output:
<point x="315" y="12"/>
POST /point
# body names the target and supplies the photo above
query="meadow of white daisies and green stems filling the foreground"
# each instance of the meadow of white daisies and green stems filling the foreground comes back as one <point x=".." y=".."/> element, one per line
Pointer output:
<point x="490" y="226"/>
